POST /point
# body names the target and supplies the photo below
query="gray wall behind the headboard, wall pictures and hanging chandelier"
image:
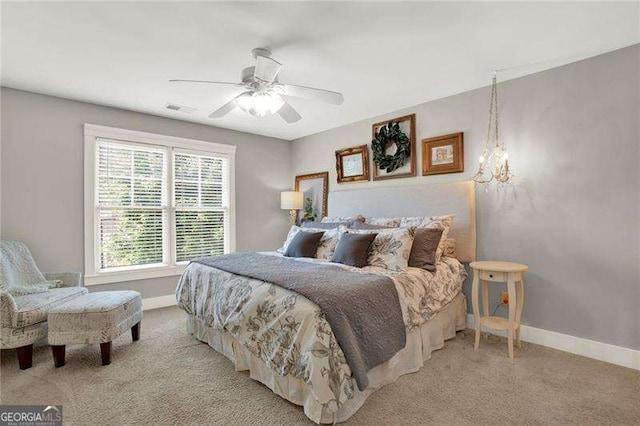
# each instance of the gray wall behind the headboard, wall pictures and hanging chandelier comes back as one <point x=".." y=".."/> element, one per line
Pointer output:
<point x="573" y="213"/>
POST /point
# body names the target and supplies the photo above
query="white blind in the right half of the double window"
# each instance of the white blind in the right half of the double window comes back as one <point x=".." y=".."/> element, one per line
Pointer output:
<point x="201" y="201"/>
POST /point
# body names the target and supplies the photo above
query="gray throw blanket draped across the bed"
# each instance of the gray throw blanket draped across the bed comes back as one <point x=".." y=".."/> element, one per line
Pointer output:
<point x="363" y="310"/>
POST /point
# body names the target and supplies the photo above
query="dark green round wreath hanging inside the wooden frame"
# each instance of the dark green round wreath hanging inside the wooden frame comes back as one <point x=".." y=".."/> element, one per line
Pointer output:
<point x="386" y="135"/>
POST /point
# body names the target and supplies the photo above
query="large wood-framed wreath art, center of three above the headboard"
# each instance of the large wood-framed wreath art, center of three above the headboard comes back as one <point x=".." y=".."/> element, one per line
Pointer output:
<point x="393" y="147"/>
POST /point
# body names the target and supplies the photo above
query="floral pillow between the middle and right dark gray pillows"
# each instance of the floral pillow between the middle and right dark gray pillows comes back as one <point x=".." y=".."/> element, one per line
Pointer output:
<point x="391" y="248"/>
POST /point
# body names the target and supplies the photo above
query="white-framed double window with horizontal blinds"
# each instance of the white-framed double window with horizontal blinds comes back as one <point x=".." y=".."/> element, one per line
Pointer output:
<point x="153" y="203"/>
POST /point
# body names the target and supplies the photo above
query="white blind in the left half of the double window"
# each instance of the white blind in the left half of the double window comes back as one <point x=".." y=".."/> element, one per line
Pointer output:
<point x="132" y="210"/>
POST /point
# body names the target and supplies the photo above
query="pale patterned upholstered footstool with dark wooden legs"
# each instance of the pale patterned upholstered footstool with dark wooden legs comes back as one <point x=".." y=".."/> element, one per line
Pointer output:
<point x="96" y="317"/>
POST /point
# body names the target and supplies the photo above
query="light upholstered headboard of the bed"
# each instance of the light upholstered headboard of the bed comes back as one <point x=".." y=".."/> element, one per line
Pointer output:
<point x="416" y="200"/>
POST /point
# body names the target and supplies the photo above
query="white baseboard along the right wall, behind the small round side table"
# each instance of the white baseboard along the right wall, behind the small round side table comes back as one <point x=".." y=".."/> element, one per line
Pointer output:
<point x="576" y="345"/>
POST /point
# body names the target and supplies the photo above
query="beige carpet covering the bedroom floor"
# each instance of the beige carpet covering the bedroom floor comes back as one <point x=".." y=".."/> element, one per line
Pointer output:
<point x="170" y="378"/>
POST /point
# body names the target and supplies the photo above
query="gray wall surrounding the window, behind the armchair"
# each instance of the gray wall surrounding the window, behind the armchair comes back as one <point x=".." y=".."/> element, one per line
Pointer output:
<point x="42" y="179"/>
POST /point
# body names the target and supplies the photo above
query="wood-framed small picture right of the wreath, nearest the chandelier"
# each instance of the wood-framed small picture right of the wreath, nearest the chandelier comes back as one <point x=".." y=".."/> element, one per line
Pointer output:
<point x="443" y="154"/>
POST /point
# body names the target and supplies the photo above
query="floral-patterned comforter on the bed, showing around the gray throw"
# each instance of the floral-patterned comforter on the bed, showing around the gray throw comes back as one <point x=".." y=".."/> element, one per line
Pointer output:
<point x="288" y="332"/>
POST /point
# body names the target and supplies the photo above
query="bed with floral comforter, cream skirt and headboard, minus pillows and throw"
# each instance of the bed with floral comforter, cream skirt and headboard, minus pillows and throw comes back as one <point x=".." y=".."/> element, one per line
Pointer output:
<point x="285" y="341"/>
